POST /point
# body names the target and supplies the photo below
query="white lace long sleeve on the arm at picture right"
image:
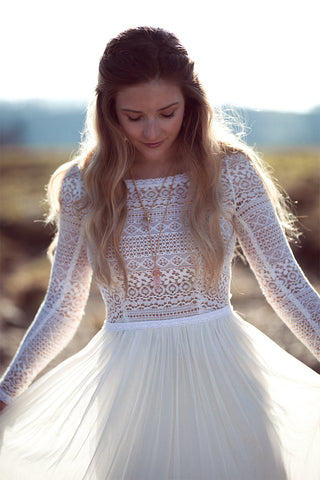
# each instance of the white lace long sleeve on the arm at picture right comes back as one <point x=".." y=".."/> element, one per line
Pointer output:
<point x="266" y="248"/>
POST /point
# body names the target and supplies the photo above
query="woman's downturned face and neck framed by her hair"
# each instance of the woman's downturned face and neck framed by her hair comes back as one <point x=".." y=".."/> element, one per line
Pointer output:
<point x="151" y="115"/>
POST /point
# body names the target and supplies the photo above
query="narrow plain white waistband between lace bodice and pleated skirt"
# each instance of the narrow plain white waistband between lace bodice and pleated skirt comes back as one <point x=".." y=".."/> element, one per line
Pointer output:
<point x="174" y="322"/>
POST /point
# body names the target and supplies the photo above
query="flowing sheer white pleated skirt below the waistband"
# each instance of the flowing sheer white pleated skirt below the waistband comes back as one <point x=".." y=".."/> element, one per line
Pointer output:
<point x="209" y="397"/>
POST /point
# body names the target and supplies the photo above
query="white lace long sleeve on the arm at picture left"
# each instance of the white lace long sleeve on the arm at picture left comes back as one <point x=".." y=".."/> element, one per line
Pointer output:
<point x="62" y="308"/>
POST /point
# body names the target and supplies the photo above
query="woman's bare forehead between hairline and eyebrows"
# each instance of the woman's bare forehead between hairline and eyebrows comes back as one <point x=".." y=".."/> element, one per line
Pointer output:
<point x="154" y="94"/>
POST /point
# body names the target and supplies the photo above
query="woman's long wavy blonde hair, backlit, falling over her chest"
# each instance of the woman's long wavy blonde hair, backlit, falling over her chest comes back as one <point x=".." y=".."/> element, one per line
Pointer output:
<point x="136" y="56"/>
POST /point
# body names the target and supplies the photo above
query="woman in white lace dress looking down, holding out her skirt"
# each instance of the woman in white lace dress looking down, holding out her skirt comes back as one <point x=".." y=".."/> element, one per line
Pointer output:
<point x="175" y="385"/>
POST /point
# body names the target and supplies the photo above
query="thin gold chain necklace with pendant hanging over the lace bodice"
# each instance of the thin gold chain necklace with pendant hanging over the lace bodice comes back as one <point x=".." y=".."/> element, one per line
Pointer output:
<point x="154" y="248"/>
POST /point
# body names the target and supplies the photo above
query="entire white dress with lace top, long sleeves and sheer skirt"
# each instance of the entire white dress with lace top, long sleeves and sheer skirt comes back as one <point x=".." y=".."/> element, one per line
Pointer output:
<point x="175" y="385"/>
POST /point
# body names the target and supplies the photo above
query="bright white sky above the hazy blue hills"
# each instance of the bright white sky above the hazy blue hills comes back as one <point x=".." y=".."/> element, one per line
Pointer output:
<point x="248" y="53"/>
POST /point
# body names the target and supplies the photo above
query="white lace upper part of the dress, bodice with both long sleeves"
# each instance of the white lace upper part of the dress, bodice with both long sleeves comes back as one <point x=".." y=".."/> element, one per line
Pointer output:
<point x="182" y="293"/>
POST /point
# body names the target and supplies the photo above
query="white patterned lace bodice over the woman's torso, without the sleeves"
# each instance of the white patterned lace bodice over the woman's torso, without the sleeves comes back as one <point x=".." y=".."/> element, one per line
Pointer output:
<point x="180" y="294"/>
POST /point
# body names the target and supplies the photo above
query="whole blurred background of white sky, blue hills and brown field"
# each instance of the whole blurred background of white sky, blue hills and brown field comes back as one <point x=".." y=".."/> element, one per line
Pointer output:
<point x="255" y="59"/>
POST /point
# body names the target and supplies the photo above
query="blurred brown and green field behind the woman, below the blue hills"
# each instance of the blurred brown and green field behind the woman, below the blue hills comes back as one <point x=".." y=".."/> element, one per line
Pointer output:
<point x="24" y="239"/>
